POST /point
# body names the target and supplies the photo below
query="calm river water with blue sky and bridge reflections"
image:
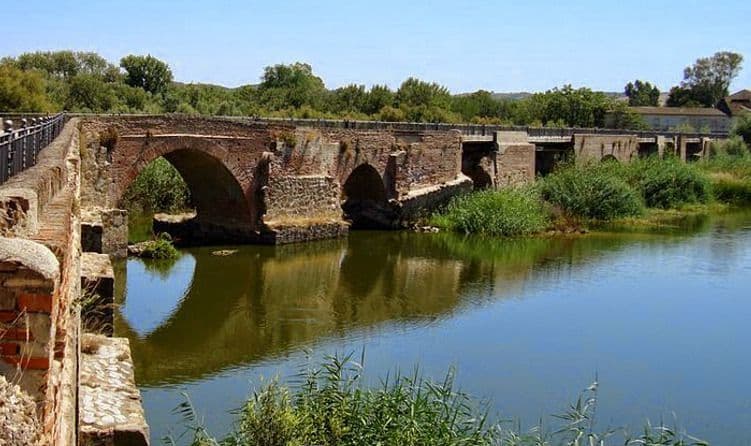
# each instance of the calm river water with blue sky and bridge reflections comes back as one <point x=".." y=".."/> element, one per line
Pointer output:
<point x="663" y="319"/>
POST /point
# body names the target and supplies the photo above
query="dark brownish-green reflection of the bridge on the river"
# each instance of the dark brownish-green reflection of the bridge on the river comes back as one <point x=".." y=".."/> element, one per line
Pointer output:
<point x="264" y="301"/>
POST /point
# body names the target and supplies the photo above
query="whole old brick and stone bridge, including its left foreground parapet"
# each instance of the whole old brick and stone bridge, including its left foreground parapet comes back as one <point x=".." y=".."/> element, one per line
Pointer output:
<point x="269" y="181"/>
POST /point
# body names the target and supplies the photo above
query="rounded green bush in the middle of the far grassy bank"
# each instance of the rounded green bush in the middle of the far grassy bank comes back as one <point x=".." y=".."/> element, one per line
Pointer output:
<point x="591" y="191"/>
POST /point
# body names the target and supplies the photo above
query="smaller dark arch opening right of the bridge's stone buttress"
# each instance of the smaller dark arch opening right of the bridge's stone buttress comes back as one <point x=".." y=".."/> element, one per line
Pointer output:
<point x="364" y="200"/>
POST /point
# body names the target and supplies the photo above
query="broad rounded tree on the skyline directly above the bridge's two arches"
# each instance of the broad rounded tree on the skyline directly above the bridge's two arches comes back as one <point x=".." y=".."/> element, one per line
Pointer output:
<point x="292" y="85"/>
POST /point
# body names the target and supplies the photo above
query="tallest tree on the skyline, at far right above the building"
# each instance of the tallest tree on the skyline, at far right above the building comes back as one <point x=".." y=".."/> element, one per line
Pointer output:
<point x="707" y="81"/>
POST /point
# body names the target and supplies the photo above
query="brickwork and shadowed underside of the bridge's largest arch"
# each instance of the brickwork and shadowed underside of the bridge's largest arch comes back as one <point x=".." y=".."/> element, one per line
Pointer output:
<point x="222" y="189"/>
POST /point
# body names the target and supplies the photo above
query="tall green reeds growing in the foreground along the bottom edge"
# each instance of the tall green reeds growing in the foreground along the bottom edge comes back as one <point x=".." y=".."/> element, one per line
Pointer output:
<point x="329" y="405"/>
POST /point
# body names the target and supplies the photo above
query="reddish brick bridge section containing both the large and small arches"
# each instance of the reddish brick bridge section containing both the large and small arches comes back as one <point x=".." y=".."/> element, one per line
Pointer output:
<point x="248" y="179"/>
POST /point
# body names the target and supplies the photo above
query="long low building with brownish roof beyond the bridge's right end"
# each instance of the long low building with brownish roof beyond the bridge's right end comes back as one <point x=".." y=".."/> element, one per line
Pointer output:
<point x="670" y="118"/>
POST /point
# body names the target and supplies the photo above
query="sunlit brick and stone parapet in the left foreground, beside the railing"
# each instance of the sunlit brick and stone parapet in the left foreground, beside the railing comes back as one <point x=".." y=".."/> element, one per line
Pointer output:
<point x="41" y="267"/>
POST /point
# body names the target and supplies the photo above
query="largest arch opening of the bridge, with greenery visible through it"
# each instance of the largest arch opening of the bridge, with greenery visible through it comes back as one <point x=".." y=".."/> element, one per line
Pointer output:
<point x="217" y="208"/>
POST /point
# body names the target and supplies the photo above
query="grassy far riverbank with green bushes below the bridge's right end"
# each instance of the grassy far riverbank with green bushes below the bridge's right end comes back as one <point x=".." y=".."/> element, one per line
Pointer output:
<point x="576" y="196"/>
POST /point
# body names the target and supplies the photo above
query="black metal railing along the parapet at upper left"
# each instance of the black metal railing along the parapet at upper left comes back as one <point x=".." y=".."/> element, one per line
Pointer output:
<point x="20" y="147"/>
